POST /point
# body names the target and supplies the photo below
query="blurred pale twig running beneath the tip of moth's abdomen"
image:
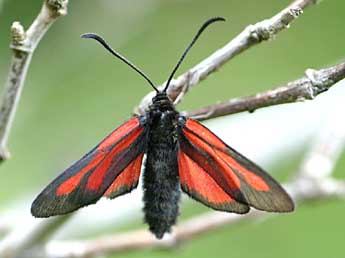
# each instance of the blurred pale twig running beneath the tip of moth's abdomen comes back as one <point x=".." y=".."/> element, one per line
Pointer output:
<point x="142" y="239"/>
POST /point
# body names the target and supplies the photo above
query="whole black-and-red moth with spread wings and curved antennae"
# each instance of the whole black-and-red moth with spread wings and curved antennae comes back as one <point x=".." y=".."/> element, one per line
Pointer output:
<point x="180" y="154"/>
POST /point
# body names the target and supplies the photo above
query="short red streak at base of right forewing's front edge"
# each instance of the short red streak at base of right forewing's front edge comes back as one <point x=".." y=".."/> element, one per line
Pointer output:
<point x="205" y="133"/>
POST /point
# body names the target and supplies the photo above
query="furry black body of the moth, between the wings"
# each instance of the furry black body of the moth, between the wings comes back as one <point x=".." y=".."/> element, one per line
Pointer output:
<point x="161" y="180"/>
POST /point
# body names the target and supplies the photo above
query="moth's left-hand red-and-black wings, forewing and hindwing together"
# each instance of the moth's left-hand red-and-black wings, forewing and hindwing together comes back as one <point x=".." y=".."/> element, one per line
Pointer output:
<point x="110" y="169"/>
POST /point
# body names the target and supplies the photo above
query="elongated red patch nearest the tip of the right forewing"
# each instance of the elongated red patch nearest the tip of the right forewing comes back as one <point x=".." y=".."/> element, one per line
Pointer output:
<point x="252" y="179"/>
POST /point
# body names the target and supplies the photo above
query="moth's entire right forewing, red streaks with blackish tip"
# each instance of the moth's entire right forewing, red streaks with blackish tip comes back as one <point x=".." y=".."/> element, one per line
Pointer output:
<point x="240" y="178"/>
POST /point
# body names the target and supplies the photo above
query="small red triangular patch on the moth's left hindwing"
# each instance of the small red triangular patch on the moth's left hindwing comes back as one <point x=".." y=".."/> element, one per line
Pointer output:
<point x="128" y="177"/>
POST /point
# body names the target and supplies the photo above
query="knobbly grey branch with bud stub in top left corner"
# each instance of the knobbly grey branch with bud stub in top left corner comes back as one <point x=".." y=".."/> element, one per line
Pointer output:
<point x="23" y="45"/>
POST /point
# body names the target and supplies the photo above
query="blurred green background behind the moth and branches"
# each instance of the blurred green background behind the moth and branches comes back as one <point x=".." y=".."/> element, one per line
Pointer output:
<point x="75" y="93"/>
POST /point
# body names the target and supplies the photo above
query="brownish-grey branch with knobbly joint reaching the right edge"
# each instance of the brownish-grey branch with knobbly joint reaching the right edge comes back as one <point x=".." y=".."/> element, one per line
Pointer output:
<point x="306" y="88"/>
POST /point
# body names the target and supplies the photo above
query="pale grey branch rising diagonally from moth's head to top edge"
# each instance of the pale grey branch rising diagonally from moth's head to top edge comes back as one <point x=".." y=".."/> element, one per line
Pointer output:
<point x="252" y="35"/>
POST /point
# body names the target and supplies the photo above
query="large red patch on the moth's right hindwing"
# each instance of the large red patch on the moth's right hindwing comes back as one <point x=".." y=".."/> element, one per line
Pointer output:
<point x="194" y="178"/>
